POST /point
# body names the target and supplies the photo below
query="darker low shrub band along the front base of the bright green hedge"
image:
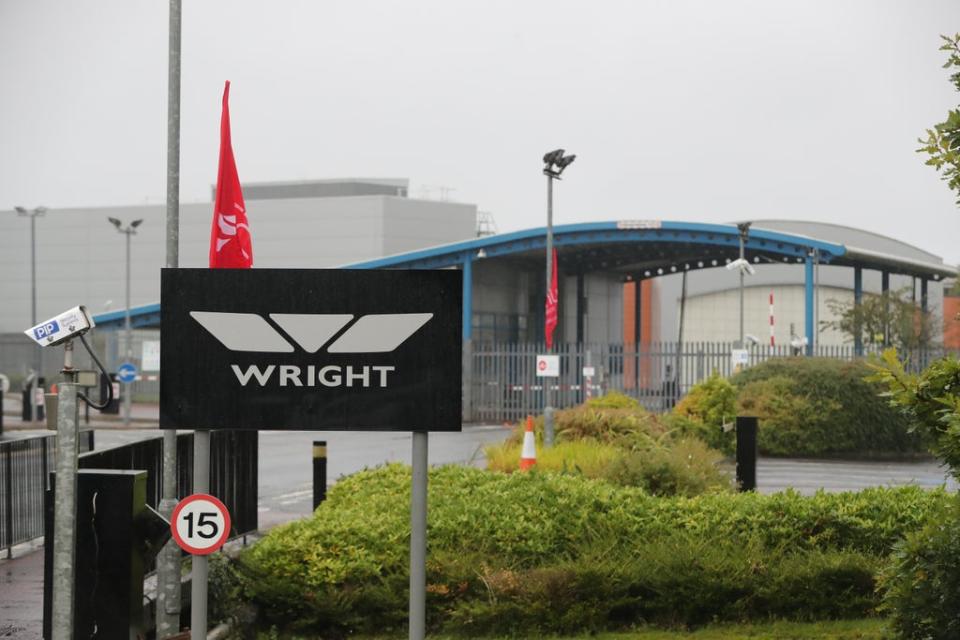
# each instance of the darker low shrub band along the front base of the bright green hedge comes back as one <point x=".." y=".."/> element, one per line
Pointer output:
<point x="676" y="582"/>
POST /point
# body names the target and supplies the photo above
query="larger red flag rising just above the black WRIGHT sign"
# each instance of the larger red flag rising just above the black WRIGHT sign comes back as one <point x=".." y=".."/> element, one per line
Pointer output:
<point x="230" y="244"/>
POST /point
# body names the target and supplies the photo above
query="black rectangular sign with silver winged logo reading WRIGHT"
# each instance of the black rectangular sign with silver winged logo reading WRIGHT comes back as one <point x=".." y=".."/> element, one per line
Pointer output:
<point x="310" y="349"/>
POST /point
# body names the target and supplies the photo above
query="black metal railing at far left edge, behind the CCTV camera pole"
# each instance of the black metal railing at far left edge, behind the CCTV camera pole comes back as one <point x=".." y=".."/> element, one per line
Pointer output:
<point x="24" y="467"/>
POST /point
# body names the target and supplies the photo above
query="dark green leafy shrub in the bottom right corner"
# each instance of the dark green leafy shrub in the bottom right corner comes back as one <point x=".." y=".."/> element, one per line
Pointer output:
<point x="921" y="584"/>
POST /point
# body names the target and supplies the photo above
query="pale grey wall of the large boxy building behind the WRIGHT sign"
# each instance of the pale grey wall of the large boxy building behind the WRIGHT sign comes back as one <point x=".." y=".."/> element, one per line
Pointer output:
<point x="80" y="255"/>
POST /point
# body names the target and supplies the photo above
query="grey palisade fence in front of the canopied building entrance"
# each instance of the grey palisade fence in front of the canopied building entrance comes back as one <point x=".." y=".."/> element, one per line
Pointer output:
<point x="504" y="386"/>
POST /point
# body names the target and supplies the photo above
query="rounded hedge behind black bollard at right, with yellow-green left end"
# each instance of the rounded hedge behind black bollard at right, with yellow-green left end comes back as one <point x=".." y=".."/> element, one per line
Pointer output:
<point x="807" y="407"/>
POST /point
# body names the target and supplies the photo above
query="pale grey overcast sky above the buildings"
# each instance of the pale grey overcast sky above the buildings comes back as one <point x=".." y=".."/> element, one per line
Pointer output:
<point x="679" y="110"/>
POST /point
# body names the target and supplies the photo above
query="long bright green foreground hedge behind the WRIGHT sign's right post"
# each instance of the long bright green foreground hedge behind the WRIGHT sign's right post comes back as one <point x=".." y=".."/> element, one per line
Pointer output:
<point x="536" y="553"/>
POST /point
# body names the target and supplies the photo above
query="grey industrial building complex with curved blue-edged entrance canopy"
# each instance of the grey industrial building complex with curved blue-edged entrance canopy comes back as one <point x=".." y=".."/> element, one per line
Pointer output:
<point x="628" y="284"/>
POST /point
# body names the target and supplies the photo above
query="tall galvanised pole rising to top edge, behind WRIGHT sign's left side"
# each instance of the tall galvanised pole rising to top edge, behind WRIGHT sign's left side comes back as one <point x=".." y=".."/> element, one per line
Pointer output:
<point x="168" y="564"/>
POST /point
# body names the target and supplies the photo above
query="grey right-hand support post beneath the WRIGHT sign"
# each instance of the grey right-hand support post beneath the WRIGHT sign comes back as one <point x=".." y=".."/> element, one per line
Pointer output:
<point x="418" y="538"/>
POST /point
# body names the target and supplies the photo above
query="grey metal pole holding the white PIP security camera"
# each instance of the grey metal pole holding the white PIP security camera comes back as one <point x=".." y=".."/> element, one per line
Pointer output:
<point x="65" y="512"/>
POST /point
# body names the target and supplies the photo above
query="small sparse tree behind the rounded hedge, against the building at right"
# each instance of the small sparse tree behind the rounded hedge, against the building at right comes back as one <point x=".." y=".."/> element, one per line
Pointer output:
<point x="890" y="318"/>
